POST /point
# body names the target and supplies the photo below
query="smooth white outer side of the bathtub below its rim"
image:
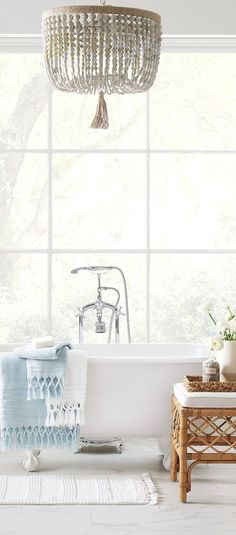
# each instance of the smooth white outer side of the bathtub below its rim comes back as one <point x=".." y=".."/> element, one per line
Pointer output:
<point x="132" y="399"/>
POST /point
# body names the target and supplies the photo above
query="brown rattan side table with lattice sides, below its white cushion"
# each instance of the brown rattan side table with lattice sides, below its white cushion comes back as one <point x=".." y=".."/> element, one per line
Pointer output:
<point x="200" y="435"/>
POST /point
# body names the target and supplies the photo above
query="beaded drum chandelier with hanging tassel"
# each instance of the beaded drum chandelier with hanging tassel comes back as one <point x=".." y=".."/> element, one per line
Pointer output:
<point x="104" y="49"/>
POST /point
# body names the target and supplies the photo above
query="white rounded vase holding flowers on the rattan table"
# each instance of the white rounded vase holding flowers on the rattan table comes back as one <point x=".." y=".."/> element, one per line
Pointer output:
<point x="227" y="360"/>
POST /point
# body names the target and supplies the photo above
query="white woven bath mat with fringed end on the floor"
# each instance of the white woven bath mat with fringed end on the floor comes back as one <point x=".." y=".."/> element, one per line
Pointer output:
<point x="93" y="489"/>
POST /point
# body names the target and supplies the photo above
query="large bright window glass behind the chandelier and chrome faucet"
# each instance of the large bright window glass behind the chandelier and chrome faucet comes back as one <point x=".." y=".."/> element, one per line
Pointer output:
<point x="154" y="187"/>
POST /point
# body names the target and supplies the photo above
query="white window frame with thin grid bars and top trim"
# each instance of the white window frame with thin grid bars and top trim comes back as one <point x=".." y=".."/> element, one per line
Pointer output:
<point x="13" y="43"/>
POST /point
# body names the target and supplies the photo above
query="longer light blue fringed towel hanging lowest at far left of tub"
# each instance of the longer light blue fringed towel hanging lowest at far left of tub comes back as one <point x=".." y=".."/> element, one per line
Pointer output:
<point x="22" y="422"/>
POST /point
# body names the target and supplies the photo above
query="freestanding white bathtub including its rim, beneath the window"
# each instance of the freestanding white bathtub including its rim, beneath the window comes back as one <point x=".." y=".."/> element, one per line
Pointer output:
<point x="130" y="386"/>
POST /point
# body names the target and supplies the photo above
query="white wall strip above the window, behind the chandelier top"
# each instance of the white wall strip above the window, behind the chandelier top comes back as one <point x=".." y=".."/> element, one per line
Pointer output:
<point x="178" y="16"/>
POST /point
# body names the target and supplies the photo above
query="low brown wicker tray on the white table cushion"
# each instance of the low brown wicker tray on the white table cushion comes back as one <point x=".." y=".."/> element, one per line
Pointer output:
<point x="194" y="383"/>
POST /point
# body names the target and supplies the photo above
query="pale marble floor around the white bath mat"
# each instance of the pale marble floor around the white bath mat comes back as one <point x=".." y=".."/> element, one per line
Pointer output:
<point x="211" y="504"/>
